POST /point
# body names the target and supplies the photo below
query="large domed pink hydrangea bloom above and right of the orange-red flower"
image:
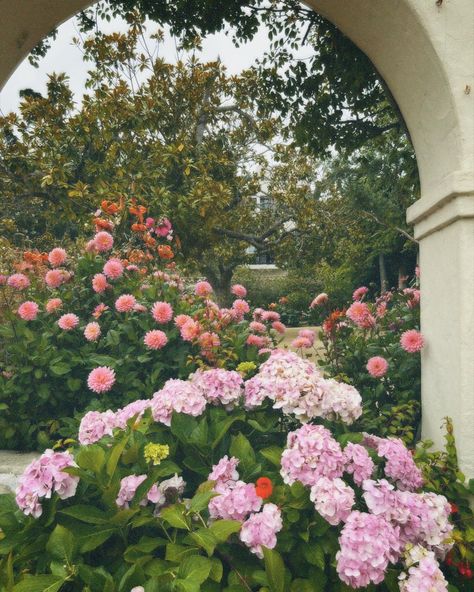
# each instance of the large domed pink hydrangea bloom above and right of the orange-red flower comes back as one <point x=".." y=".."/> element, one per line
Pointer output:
<point x="311" y="453"/>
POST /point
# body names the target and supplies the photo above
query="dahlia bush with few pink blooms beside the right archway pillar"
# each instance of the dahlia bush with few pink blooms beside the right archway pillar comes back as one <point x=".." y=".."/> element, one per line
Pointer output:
<point x="375" y="345"/>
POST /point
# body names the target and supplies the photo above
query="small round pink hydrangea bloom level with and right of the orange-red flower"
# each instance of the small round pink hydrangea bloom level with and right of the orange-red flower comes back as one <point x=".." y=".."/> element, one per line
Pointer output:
<point x="333" y="499"/>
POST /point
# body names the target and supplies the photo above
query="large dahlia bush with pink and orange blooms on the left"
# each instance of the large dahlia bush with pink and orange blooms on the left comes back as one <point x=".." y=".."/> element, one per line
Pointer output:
<point x="109" y="324"/>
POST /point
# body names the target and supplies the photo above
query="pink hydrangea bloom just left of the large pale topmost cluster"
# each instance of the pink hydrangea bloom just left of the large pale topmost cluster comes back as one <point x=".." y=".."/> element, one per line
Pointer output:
<point x="219" y="385"/>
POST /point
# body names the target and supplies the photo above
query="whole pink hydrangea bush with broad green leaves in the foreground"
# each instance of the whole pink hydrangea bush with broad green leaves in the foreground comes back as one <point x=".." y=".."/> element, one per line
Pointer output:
<point x="220" y="483"/>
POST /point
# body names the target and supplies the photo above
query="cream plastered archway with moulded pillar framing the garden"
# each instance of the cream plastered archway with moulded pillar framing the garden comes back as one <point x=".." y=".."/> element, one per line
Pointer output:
<point x="424" y="49"/>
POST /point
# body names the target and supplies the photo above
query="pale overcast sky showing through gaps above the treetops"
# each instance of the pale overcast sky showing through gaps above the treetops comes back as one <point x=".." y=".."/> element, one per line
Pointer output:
<point x="65" y="57"/>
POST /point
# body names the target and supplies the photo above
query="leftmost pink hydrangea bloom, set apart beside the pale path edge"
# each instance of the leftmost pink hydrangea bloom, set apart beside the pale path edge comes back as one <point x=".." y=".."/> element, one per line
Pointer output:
<point x="42" y="478"/>
